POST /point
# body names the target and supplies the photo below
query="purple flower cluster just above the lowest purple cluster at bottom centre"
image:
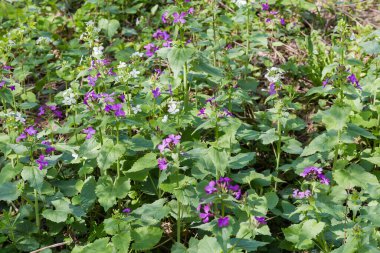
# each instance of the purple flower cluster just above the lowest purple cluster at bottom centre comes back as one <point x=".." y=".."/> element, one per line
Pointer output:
<point x="223" y="184"/>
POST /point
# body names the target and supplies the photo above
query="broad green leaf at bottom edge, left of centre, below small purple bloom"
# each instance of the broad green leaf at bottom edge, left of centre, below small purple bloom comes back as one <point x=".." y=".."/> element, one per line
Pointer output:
<point x="146" y="237"/>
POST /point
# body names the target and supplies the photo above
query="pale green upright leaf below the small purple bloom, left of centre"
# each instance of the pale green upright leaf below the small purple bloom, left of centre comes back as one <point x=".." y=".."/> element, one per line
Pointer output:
<point x="109" y="153"/>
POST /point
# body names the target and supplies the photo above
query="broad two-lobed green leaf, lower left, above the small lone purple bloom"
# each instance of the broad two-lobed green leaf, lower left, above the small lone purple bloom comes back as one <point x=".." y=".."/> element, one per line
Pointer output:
<point x="108" y="192"/>
